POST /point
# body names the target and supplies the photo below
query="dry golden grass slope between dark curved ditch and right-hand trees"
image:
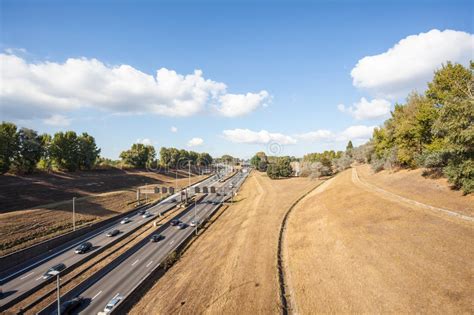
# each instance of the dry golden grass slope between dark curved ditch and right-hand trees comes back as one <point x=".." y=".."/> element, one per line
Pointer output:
<point x="360" y="243"/>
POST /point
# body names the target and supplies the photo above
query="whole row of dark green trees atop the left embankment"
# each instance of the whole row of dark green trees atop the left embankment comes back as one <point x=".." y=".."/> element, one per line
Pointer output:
<point x="24" y="150"/>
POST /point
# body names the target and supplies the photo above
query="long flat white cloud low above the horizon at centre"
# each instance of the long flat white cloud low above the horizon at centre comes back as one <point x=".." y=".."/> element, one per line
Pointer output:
<point x="256" y="137"/>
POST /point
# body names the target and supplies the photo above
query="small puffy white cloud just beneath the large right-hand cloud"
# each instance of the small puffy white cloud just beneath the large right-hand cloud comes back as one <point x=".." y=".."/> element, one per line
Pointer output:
<point x="364" y="109"/>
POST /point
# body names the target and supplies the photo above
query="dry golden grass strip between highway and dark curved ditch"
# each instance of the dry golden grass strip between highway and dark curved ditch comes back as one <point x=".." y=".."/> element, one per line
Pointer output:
<point x="231" y="268"/>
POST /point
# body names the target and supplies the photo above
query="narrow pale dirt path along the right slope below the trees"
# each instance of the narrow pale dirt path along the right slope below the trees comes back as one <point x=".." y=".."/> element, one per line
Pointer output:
<point x="387" y="194"/>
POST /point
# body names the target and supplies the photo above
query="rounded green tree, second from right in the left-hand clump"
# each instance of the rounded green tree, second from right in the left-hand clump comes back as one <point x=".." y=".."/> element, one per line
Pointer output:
<point x="64" y="150"/>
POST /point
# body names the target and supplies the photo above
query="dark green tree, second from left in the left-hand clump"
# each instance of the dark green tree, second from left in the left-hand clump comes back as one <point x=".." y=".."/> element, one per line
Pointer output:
<point x="29" y="151"/>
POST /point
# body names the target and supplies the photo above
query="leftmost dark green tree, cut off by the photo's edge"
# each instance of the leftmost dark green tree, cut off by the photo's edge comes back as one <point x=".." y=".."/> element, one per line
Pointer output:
<point x="8" y="145"/>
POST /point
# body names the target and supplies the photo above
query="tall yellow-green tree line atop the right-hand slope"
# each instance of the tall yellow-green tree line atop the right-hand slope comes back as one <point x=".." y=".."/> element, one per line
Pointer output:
<point x="433" y="130"/>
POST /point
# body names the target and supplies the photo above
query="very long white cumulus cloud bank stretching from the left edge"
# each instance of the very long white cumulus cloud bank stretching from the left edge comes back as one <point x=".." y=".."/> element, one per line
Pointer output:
<point x="36" y="89"/>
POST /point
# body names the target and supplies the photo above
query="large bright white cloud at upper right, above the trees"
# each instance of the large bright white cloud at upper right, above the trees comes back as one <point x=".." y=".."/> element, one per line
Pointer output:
<point x="410" y="63"/>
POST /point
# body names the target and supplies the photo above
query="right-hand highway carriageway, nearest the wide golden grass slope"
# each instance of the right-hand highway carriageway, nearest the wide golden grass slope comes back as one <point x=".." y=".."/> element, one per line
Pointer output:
<point x="130" y="272"/>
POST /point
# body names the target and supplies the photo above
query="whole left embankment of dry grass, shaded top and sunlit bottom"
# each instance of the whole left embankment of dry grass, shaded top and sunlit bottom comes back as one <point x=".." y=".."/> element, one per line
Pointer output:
<point x="20" y="228"/>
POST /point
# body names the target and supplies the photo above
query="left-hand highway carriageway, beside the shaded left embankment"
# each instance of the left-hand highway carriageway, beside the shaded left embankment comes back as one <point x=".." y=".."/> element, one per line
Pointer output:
<point x="25" y="281"/>
